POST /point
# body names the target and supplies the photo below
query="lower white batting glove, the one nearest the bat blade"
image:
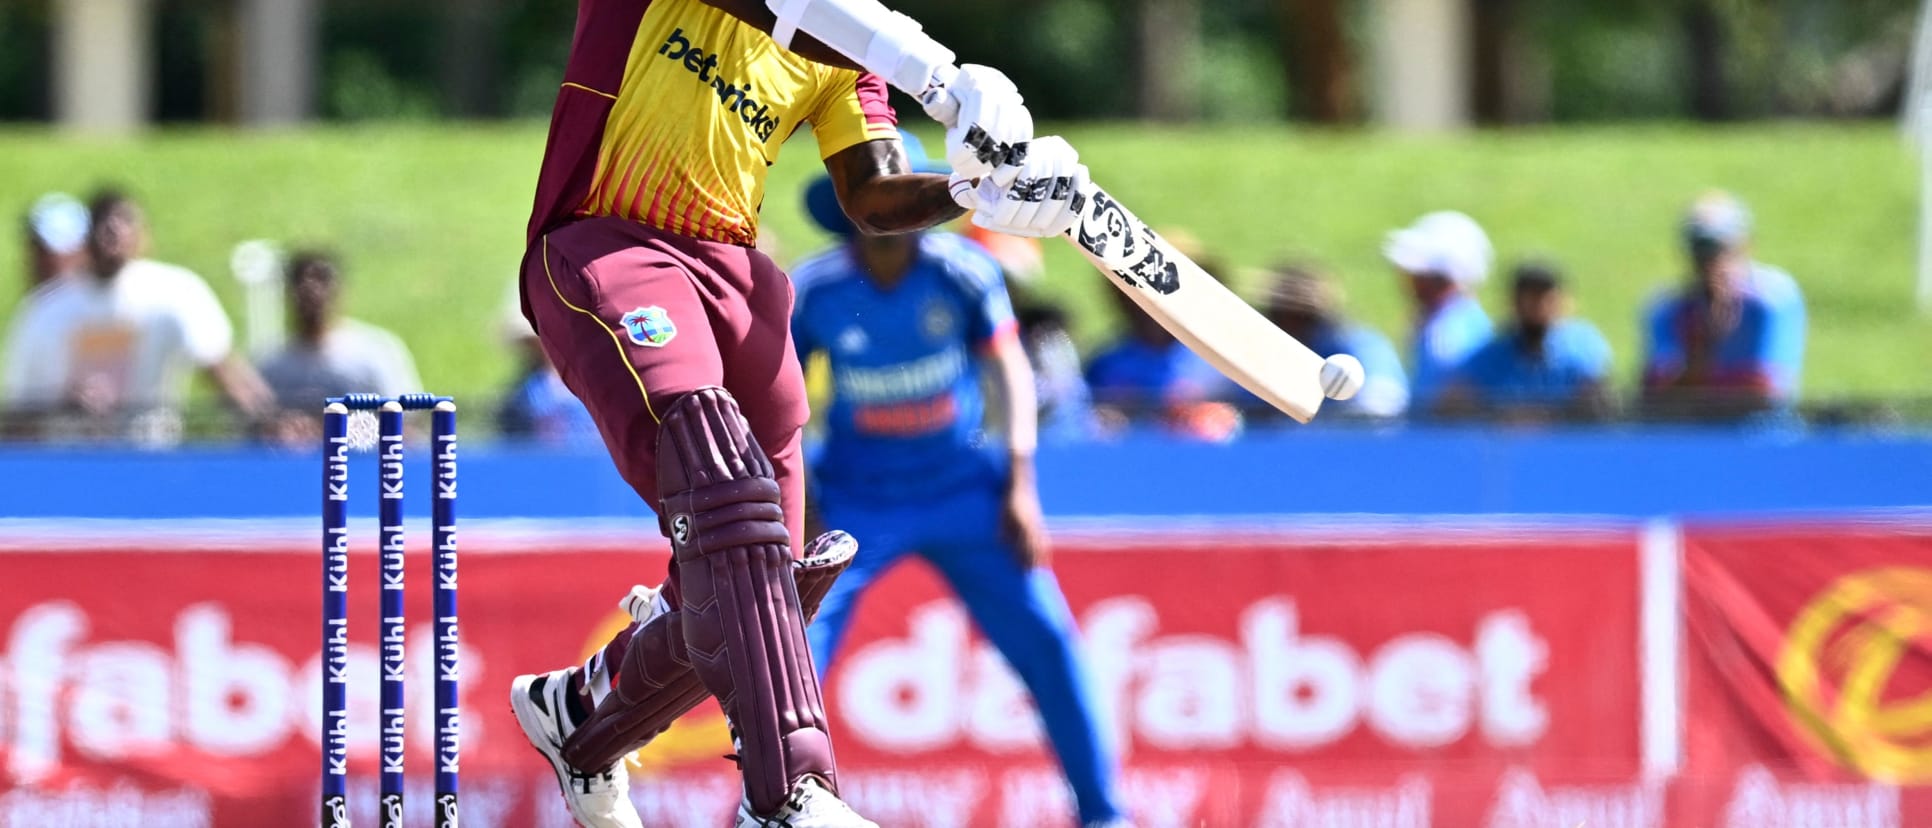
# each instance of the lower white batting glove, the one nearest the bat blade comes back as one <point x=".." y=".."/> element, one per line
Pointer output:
<point x="1040" y="198"/>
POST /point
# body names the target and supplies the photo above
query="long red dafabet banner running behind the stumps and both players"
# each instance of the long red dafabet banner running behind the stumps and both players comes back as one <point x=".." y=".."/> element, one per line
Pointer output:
<point x="1415" y="678"/>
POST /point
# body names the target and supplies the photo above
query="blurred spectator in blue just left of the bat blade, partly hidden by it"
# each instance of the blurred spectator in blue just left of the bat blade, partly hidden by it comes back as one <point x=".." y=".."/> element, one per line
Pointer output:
<point x="1151" y="377"/>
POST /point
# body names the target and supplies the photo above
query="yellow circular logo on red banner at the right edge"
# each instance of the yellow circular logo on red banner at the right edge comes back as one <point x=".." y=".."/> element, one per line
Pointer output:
<point x="1858" y="673"/>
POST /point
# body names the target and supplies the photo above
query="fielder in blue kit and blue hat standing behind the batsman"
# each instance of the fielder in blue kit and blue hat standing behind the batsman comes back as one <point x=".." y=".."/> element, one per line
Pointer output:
<point x="909" y="323"/>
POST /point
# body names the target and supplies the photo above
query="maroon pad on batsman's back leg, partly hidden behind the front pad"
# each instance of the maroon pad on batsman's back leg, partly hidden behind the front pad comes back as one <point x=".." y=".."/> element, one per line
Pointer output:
<point x="656" y="682"/>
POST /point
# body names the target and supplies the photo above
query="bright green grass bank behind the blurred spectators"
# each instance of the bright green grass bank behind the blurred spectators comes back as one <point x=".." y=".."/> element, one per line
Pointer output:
<point x="432" y="219"/>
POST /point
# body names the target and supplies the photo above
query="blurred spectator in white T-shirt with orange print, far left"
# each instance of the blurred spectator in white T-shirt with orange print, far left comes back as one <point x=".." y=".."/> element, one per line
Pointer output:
<point x="119" y="345"/>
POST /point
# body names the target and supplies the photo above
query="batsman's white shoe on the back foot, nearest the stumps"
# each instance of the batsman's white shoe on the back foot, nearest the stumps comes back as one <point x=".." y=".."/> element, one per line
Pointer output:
<point x="594" y="800"/>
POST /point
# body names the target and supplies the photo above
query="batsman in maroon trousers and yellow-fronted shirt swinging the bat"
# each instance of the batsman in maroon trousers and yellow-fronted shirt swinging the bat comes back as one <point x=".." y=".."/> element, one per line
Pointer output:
<point x="646" y="292"/>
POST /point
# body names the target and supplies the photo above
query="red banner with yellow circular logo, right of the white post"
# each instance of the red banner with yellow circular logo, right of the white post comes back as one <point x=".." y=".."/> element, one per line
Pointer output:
<point x="1809" y="676"/>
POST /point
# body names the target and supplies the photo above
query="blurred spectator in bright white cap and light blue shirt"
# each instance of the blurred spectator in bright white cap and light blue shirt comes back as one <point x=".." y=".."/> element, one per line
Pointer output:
<point x="1444" y="258"/>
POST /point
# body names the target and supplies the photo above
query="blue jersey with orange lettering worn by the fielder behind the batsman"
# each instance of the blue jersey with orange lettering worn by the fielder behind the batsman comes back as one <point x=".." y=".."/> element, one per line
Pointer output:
<point x="905" y="364"/>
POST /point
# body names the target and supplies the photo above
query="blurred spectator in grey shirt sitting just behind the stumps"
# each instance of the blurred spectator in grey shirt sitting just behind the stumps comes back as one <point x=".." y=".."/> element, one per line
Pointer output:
<point x="329" y="354"/>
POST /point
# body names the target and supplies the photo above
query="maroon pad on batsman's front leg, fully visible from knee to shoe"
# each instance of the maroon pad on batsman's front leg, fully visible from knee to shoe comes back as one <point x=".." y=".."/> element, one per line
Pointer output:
<point x="743" y="622"/>
